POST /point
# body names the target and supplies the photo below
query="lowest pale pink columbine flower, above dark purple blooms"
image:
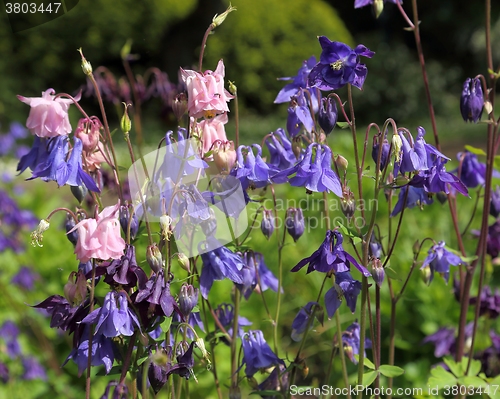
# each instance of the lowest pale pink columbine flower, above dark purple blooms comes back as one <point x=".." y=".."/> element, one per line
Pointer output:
<point x="100" y="238"/>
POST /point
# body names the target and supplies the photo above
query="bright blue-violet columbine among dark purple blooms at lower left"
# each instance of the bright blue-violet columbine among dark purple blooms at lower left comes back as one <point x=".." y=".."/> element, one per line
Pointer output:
<point x="114" y="318"/>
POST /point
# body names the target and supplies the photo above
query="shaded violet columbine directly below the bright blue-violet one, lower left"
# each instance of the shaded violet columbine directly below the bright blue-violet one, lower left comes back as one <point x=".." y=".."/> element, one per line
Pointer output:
<point x="101" y="352"/>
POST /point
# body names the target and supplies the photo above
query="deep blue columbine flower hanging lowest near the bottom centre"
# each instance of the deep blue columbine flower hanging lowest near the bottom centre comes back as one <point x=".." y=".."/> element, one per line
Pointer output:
<point x="256" y="353"/>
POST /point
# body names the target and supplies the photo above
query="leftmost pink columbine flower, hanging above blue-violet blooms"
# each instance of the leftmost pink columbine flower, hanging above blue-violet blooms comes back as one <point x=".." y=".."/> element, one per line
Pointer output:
<point x="48" y="115"/>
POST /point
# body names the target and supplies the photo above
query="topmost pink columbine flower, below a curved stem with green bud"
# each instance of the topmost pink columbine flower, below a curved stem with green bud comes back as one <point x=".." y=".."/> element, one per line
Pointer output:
<point x="206" y="94"/>
